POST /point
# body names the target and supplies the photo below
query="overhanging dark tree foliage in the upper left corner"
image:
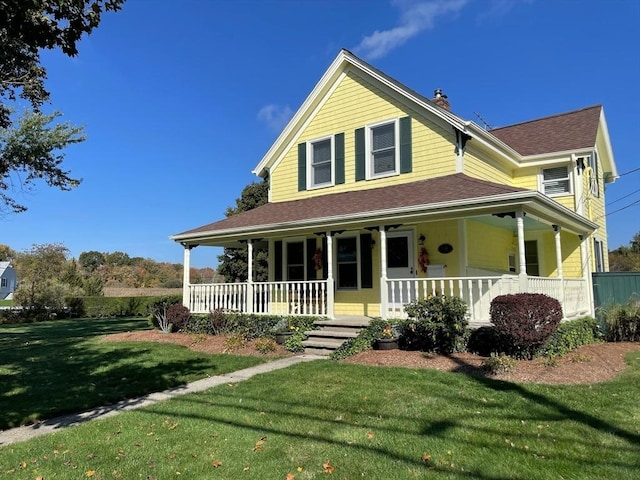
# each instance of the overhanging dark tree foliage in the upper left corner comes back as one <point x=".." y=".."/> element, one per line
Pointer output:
<point x="29" y="146"/>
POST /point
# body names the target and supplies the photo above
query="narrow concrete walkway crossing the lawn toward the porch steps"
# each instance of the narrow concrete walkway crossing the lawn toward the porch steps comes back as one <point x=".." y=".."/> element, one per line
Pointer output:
<point x="47" y="426"/>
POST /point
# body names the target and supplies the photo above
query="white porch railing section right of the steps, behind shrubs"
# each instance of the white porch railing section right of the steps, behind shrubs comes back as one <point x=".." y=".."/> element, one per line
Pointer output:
<point x="477" y="293"/>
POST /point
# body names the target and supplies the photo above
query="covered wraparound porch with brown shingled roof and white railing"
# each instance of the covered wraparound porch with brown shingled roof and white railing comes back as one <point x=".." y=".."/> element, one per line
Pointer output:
<point x="372" y="252"/>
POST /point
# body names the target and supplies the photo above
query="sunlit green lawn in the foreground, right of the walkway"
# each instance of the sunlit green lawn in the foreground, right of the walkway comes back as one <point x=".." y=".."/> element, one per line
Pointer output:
<point x="358" y="422"/>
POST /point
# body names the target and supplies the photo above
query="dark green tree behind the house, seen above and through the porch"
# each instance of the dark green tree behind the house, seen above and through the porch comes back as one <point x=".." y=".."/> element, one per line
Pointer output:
<point x="233" y="263"/>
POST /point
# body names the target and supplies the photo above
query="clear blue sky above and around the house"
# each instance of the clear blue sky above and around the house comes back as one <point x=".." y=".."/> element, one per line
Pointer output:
<point x="181" y="99"/>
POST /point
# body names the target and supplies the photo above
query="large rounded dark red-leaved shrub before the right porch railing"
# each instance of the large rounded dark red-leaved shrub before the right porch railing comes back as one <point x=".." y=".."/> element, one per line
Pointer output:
<point x="525" y="321"/>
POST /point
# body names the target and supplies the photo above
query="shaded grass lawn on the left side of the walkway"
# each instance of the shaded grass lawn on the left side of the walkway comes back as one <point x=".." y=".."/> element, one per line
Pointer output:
<point x="51" y="368"/>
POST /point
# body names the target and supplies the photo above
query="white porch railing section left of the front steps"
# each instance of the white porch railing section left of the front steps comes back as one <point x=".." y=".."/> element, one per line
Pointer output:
<point x="274" y="298"/>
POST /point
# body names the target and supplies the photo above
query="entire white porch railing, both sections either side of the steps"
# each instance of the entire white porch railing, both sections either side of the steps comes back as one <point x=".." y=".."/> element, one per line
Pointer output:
<point x="310" y="298"/>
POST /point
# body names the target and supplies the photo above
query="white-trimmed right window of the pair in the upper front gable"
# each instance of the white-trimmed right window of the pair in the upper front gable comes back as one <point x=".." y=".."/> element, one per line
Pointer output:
<point x="382" y="149"/>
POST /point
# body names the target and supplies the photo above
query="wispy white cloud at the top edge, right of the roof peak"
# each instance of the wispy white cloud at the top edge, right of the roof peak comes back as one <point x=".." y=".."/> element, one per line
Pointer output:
<point x="415" y="17"/>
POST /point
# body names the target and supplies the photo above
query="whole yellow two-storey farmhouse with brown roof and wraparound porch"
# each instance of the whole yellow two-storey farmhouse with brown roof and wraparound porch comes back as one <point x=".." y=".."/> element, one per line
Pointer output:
<point x="379" y="195"/>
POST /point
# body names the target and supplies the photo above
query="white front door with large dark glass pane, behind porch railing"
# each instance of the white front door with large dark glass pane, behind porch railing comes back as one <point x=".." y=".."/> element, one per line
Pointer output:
<point x="400" y="265"/>
